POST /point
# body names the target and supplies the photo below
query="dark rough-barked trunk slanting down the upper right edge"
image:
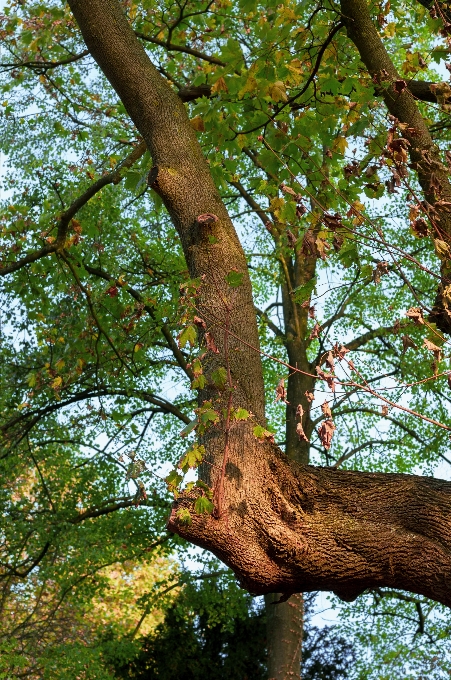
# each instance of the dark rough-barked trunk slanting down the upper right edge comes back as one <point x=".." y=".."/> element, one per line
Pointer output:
<point x="433" y="175"/>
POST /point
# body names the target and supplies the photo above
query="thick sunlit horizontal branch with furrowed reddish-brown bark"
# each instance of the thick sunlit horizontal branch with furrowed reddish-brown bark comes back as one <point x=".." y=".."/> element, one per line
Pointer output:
<point x="317" y="528"/>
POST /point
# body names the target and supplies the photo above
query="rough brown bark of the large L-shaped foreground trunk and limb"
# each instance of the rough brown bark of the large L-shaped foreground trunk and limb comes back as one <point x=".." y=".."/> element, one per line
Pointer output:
<point x="284" y="527"/>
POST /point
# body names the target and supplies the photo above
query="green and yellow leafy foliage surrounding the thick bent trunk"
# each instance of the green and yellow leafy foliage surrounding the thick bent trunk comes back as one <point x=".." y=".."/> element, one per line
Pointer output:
<point x="102" y="359"/>
